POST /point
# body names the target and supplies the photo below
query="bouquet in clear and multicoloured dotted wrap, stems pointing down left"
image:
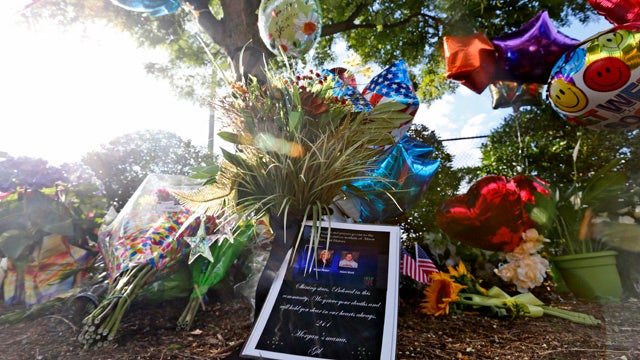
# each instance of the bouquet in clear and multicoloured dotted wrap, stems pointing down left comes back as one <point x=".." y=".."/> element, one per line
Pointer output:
<point x="139" y="244"/>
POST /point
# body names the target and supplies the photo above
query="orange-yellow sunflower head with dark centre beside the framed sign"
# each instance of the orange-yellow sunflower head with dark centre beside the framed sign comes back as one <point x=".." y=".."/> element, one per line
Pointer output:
<point x="442" y="292"/>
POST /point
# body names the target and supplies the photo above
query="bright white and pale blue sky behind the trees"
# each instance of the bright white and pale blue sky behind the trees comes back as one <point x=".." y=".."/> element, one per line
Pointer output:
<point x="65" y="93"/>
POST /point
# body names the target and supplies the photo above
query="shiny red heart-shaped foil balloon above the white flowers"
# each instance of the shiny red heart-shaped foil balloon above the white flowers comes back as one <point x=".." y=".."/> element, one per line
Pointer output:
<point x="491" y="215"/>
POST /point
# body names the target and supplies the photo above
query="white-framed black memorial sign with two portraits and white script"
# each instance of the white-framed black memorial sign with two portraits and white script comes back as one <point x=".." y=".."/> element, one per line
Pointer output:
<point x="333" y="301"/>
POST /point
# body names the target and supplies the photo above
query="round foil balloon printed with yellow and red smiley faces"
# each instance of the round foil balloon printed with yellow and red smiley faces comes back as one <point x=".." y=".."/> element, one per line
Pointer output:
<point x="597" y="83"/>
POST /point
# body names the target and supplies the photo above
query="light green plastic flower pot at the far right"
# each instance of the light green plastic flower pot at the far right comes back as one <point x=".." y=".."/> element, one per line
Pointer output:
<point x="591" y="277"/>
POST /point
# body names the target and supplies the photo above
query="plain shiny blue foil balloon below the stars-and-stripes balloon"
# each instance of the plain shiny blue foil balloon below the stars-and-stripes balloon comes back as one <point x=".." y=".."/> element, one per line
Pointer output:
<point x="407" y="170"/>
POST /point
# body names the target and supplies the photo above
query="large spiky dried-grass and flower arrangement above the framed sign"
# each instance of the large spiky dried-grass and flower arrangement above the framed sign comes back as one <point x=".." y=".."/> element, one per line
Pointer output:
<point x="298" y="147"/>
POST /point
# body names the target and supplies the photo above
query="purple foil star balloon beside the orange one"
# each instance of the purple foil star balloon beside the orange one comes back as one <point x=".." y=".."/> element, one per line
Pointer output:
<point x="528" y="54"/>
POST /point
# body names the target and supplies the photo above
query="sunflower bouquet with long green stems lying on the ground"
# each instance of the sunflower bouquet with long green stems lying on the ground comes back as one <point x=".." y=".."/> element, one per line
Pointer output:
<point x="459" y="292"/>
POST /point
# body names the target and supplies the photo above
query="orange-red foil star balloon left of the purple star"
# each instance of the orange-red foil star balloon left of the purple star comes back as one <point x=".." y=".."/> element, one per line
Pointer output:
<point x="471" y="60"/>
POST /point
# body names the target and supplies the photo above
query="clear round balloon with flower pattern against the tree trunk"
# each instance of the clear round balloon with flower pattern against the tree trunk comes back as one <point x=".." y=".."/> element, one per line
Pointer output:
<point x="291" y="27"/>
